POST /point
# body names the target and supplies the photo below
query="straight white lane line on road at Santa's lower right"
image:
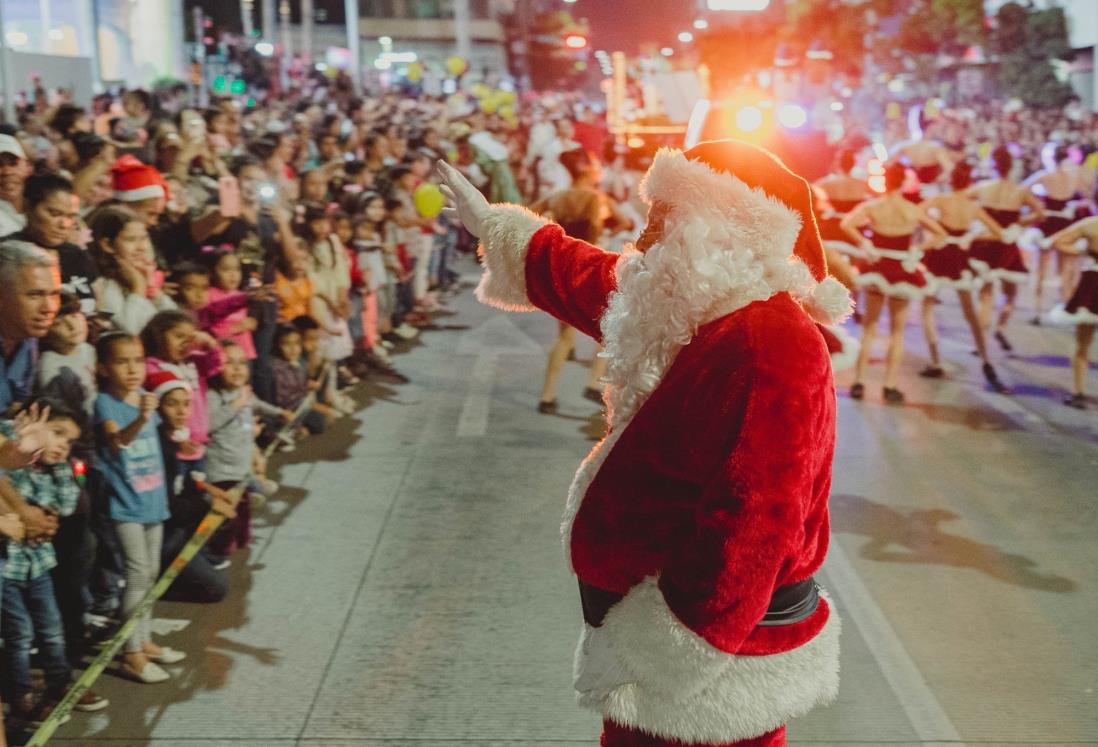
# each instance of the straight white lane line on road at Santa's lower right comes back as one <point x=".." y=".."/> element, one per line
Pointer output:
<point x="924" y="712"/>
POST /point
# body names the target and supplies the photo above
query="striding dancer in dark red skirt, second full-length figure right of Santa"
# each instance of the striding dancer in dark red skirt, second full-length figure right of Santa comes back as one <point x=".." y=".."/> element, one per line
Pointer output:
<point x="950" y="266"/>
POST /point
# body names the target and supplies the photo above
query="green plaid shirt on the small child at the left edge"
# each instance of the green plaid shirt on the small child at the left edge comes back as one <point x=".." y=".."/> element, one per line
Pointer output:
<point x="50" y="487"/>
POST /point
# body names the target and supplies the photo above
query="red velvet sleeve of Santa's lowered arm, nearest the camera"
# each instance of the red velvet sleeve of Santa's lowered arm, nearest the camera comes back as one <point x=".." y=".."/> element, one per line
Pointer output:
<point x="763" y="516"/>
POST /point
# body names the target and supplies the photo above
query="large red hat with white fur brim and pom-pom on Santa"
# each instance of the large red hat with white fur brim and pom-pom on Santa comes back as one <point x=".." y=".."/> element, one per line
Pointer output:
<point x="745" y="184"/>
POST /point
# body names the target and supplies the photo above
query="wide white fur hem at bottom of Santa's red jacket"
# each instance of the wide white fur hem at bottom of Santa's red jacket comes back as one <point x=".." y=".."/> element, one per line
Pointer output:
<point x="682" y="688"/>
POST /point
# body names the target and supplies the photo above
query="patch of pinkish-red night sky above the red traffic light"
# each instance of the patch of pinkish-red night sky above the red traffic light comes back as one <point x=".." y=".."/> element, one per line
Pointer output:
<point x="626" y="25"/>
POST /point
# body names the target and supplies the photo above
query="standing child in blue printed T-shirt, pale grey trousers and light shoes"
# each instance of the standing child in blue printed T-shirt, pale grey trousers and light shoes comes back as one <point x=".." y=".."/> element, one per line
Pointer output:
<point x="131" y="464"/>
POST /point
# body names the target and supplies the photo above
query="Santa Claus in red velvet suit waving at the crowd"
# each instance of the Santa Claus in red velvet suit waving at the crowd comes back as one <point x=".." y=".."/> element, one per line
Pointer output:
<point x="696" y="528"/>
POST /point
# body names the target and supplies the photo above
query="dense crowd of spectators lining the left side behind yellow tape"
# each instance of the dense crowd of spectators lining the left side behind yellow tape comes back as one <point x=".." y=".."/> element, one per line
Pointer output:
<point x="186" y="291"/>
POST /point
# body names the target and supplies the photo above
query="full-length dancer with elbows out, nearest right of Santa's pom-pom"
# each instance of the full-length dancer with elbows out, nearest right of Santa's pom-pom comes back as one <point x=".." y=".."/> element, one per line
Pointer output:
<point x="893" y="273"/>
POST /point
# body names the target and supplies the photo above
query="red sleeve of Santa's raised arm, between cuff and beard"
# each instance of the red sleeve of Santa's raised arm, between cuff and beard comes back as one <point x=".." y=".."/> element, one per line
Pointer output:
<point x="570" y="280"/>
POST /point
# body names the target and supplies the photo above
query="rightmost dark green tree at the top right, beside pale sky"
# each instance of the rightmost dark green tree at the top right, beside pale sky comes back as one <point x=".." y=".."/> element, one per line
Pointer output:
<point x="1027" y="40"/>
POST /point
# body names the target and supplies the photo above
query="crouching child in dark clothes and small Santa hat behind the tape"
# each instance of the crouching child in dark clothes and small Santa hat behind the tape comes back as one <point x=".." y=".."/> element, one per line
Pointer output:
<point x="191" y="498"/>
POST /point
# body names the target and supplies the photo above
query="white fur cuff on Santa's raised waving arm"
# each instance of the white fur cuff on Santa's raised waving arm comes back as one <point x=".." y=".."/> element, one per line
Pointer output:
<point x="508" y="235"/>
